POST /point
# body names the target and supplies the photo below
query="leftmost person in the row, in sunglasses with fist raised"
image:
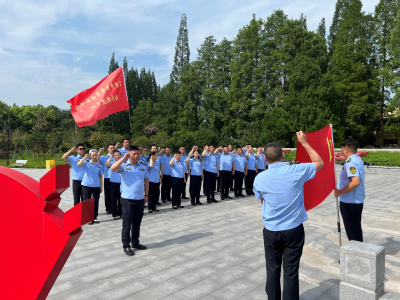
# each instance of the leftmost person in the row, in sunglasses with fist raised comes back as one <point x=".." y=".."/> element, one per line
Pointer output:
<point x="77" y="173"/>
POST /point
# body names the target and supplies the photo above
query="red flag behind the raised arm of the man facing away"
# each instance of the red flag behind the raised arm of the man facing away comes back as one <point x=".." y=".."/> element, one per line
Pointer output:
<point x="317" y="189"/>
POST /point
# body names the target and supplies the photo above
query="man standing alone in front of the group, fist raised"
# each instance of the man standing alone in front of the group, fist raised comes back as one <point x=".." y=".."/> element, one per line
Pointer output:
<point x="134" y="195"/>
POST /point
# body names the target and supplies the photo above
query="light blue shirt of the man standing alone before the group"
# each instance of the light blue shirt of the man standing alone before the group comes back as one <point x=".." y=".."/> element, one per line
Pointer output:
<point x="133" y="180"/>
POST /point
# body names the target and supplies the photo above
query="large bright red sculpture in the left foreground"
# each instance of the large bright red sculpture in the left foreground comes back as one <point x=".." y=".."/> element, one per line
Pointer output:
<point x="36" y="237"/>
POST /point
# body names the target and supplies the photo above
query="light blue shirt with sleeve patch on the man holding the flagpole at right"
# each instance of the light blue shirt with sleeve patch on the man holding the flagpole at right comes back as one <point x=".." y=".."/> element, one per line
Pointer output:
<point x="353" y="167"/>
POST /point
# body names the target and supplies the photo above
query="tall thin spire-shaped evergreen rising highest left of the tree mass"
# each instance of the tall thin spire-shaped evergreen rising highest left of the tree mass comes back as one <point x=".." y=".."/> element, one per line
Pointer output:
<point x="182" y="51"/>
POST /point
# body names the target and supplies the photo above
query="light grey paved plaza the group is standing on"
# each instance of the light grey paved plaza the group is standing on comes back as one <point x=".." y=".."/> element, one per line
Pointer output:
<point x="215" y="251"/>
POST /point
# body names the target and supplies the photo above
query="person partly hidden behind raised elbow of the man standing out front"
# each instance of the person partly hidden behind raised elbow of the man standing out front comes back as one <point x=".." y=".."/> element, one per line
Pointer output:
<point x="115" y="185"/>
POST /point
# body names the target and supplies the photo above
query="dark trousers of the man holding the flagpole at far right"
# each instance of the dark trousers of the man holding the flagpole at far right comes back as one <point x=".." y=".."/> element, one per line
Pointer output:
<point x="351" y="214"/>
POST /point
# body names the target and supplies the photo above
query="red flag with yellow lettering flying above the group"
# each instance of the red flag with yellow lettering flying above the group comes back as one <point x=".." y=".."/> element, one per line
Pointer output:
<point x="103" y="99"/>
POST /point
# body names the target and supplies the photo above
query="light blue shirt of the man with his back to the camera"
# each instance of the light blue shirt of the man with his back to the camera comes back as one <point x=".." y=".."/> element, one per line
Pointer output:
<point x="281" y="187"/>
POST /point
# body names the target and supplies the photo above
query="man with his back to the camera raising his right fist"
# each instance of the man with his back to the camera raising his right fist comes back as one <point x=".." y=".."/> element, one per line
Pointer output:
<point x="280" y="189"/>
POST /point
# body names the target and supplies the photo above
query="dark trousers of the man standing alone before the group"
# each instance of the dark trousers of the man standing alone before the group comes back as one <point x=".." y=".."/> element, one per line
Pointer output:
<point x="133" y="214"/>
